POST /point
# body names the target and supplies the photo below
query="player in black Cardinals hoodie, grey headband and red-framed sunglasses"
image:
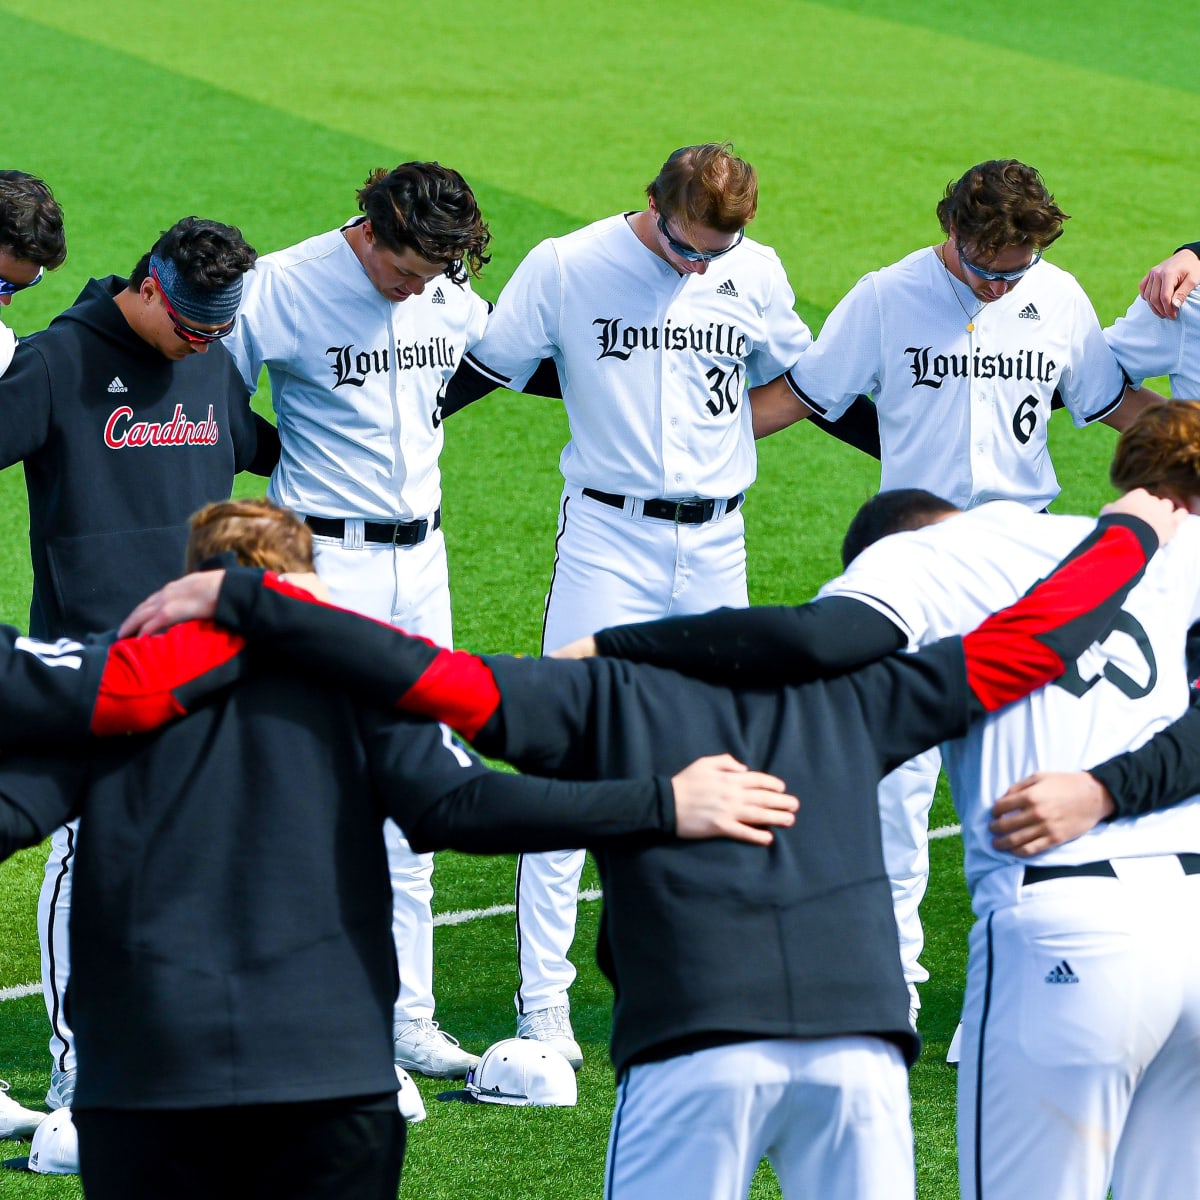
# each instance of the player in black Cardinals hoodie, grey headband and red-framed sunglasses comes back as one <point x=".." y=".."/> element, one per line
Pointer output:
<point x="128" y="416"/>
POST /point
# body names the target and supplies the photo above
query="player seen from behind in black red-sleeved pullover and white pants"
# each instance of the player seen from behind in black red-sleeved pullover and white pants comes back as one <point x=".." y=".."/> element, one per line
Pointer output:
<point x="775" y="1037"/>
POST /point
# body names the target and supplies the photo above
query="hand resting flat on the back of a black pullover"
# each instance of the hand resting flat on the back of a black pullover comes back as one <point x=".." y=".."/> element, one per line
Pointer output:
<point x="721" y="797"/>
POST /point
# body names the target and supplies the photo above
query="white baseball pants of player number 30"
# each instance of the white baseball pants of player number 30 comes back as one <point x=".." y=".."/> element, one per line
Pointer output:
<point x="611" y="567"/>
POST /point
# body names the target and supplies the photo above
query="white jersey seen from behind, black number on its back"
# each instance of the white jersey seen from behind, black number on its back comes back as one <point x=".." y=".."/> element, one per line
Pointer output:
<point x="947" y="578"/>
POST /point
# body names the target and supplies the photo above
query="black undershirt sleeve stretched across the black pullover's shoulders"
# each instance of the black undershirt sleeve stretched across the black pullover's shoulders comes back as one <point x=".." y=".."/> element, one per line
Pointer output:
<point x="760" y="647"/>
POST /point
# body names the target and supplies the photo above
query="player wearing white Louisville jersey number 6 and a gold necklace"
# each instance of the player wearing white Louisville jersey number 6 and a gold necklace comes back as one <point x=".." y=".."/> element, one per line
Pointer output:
<point x="965" y="347"/>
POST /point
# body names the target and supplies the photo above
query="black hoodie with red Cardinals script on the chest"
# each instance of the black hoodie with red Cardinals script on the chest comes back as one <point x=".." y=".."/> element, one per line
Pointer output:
<point x="121" y="447"/>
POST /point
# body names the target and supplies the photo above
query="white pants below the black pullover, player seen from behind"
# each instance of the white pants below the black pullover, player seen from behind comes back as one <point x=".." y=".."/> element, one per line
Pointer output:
<point x="831" y="1115"/>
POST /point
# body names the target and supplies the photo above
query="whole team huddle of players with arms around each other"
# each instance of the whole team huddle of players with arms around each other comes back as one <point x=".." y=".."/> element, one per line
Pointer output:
<point x="237" y="911"/>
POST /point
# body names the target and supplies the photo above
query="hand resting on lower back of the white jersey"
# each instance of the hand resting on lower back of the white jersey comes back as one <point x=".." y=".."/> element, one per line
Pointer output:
<point x="1047" y="809"/>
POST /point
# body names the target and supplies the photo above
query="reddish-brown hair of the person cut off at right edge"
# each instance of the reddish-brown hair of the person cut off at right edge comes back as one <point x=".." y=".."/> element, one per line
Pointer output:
<point x="1161" y="452"/>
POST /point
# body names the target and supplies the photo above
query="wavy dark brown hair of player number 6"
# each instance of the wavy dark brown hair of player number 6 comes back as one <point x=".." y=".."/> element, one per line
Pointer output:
<point x="999" y="205"/>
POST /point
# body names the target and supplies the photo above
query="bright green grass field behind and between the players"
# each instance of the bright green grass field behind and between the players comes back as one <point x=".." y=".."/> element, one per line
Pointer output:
<point x="857" y="115"/>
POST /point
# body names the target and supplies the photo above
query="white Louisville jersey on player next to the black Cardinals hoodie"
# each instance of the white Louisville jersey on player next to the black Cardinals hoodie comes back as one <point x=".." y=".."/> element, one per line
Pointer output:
<point x="356" y="380"/>
